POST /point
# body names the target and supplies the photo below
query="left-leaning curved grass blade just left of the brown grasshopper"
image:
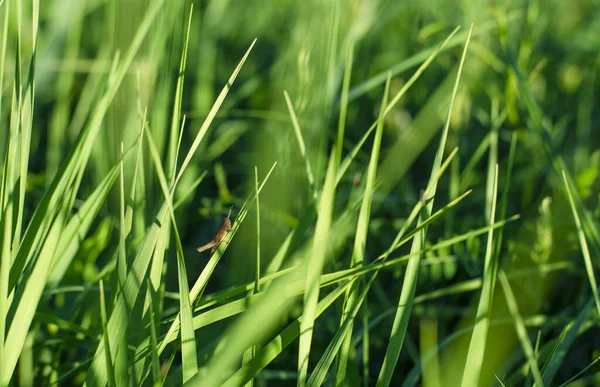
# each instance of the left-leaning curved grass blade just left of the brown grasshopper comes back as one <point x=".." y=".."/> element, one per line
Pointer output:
<point x="188" y="340"/>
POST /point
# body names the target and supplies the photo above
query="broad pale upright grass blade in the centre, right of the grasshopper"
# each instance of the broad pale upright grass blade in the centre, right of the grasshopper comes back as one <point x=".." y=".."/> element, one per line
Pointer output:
<point x="314" y="270"/>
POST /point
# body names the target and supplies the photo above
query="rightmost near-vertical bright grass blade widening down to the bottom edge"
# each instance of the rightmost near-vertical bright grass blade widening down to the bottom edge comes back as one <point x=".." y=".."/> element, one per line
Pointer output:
<point x="475" y="354"/>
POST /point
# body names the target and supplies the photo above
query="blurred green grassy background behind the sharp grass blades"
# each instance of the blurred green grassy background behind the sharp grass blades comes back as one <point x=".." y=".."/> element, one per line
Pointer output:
<point x="301" y="48"/>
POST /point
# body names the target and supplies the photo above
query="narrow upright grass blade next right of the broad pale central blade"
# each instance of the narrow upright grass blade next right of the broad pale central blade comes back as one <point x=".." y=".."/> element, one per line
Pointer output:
<point x="360" y="240"/>
